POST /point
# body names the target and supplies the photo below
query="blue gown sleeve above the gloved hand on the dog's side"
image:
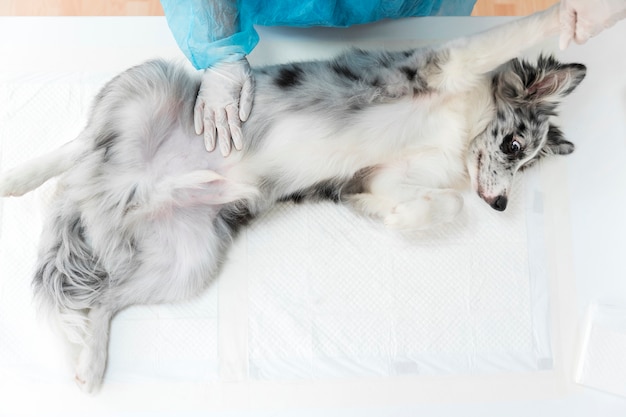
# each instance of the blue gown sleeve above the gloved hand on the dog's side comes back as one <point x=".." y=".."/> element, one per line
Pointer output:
<point x="208" y="31"/>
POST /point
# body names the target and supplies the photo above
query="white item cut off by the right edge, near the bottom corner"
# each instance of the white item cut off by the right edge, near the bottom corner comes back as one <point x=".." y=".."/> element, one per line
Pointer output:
<point x="602" y="358"/>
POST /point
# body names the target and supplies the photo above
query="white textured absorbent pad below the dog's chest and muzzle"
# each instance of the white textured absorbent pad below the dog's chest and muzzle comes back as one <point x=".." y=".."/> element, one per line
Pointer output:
<point x="332" y="295"/>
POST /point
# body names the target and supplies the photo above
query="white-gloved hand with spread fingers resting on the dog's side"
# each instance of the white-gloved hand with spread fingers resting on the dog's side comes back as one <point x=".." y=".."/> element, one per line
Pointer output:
<point x="224" y="101"/>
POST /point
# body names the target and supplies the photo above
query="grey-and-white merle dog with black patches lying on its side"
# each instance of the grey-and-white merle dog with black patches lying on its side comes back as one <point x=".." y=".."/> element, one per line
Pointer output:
<point x="143" y="214"/>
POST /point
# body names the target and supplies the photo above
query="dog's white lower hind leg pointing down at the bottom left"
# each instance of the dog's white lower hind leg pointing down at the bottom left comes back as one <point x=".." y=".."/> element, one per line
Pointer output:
<point x="93" y="357"/>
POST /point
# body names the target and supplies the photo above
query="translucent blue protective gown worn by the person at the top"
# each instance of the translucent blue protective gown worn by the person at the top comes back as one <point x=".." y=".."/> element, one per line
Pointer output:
<point x="208" y="31"/>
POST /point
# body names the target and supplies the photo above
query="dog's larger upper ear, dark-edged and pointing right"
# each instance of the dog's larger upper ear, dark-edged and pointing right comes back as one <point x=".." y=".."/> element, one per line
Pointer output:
<point x="553" y="80"/>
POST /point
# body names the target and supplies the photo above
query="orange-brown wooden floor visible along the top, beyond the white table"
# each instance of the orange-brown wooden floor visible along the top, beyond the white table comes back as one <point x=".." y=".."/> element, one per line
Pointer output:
<point x="153" y="7"/>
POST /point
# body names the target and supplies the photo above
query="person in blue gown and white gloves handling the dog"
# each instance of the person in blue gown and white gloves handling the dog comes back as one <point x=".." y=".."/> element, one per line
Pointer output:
<point x="216" y="36"/>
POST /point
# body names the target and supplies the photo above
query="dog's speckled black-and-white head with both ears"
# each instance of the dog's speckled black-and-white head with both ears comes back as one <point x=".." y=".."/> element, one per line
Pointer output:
<point x="526" y="96"/>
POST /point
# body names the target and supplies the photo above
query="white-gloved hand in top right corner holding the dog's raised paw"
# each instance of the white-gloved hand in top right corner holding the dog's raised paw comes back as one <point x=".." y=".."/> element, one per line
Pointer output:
<point x="582" y="19"/>
